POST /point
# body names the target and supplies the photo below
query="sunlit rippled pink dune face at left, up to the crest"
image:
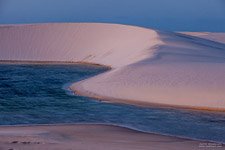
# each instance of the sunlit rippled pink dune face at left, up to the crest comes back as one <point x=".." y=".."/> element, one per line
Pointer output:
<point x="95" y="43"/>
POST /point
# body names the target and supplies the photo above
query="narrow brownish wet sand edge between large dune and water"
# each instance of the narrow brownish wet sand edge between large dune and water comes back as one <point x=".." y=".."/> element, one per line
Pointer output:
<point x="82" y="92"/>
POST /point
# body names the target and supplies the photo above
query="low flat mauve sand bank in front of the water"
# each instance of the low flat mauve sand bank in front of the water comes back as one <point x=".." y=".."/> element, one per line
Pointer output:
<point x="94" y="137"/>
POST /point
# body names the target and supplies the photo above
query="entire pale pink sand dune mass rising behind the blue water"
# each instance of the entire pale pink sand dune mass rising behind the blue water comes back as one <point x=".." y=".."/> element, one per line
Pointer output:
<point x="148" y="66"/>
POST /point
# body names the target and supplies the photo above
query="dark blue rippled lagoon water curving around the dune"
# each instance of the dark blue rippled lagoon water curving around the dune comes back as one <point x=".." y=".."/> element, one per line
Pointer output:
<point x="35" y="94"/>
